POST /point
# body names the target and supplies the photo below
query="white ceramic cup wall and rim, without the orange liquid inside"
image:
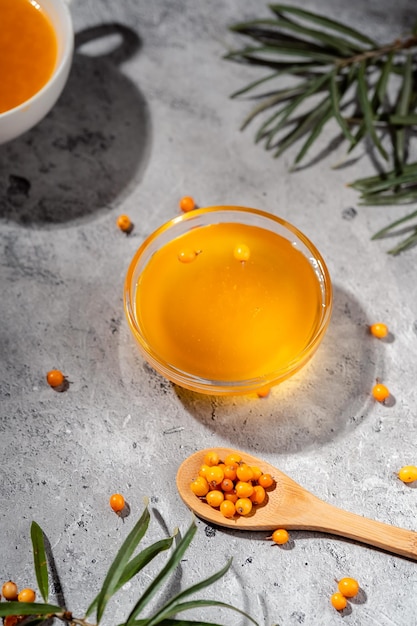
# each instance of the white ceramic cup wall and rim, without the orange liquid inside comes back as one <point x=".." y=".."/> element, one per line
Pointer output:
<point x="18" y="120"/>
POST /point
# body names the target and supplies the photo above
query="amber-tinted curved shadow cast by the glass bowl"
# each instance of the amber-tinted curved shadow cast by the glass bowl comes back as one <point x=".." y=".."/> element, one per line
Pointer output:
<point x="331" y="395"/>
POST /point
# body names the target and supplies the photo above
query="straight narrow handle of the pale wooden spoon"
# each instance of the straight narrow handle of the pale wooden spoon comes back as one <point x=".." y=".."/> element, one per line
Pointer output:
<point x="328" y="518"/>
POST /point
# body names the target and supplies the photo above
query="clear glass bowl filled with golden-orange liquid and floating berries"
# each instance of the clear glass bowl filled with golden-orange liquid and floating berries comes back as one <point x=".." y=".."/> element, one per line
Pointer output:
<point x="227" y="300"/>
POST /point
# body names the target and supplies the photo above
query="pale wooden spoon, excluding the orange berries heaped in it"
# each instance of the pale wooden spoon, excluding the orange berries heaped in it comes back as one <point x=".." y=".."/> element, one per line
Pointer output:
<point x="291" y="506"/>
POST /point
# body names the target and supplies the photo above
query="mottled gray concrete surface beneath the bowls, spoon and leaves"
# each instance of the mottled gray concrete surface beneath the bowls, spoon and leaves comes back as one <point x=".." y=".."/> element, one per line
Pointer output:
<point x="137" y="127"/>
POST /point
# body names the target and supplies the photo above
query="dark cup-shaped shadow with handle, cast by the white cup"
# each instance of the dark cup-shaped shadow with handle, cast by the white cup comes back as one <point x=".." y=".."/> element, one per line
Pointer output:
<point x="93" y="145"/>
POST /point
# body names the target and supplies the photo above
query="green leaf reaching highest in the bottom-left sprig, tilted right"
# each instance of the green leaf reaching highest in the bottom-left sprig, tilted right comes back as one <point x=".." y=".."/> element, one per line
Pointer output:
<point x="118" y="566"/>
